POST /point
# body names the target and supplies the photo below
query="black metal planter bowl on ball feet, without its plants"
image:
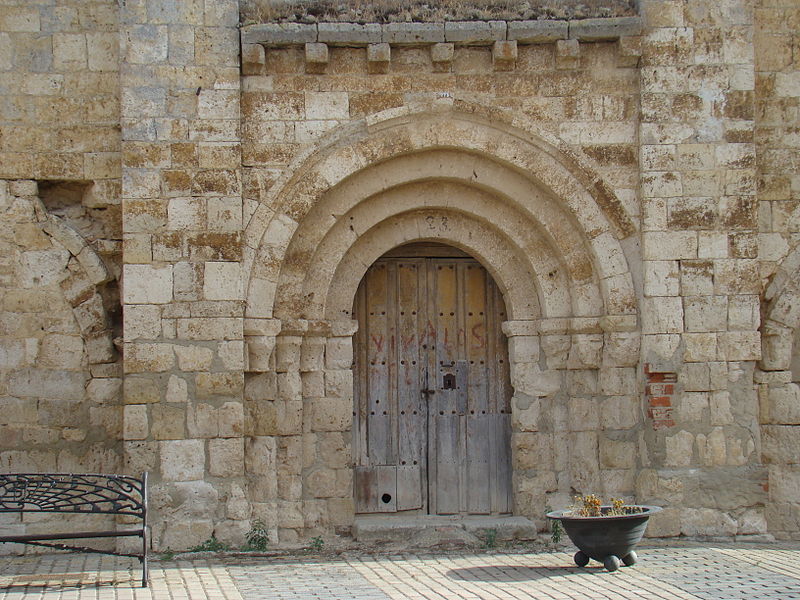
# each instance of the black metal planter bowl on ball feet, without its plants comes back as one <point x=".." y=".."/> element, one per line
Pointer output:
<point x="606" y="539"/>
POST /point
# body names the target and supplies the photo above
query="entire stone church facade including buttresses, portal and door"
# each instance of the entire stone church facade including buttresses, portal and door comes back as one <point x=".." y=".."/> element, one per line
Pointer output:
<point x="199" y="216"/>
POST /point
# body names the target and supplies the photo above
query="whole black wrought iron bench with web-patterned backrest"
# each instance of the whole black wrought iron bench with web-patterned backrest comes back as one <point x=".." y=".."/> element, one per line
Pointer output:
<point x="69" y="493"/>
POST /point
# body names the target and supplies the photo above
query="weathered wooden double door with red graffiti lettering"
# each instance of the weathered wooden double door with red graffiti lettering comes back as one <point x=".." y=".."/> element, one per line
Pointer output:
<point x="432" y="419"/>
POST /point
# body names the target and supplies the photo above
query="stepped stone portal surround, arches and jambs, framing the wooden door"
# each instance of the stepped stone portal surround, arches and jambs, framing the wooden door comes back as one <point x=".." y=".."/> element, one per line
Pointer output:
<point x="543" y="224"/>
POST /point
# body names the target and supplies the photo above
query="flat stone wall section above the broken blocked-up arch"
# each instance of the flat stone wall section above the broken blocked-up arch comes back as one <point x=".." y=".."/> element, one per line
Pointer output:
<point x="60" y="98"/>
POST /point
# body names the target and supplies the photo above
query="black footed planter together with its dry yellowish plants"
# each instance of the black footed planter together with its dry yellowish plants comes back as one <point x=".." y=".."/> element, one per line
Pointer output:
<point x="605" y="533"/>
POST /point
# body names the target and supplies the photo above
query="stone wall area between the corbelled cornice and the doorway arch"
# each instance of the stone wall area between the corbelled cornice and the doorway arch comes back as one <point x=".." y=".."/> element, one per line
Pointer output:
<point x="590" y="103"/>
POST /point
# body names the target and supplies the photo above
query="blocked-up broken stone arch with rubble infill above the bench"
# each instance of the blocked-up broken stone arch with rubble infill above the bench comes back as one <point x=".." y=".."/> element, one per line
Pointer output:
<point x="64" y="380"/>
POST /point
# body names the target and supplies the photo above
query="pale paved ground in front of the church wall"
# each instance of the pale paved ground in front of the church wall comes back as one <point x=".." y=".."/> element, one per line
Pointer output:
<point x="670" y="572"/>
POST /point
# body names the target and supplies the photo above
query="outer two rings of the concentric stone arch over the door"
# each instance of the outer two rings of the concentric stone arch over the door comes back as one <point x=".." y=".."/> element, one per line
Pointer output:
<point x="525" y="170"/>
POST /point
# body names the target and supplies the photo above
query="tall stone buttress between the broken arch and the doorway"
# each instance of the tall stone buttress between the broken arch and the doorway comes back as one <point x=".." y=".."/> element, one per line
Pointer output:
<point x="182" y="286"/>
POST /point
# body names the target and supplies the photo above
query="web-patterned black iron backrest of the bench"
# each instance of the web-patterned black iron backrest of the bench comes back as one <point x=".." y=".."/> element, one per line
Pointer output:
<point x="70" y="493"/>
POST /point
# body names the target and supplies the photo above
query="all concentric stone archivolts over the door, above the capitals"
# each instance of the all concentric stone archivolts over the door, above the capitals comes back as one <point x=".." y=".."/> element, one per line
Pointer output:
<point x="537" y="201"/>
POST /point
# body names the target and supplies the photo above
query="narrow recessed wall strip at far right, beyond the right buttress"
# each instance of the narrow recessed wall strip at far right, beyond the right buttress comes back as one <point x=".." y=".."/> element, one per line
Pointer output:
<point x="777" y="120"/>
